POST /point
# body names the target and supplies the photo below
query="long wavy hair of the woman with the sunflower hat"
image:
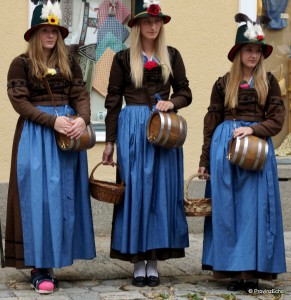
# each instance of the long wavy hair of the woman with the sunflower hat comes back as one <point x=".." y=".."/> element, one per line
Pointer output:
<point x="59" y="57"/>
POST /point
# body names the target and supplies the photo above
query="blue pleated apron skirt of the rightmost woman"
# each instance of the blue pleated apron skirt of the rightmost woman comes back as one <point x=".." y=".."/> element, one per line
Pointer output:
<point x="245" y="232"/>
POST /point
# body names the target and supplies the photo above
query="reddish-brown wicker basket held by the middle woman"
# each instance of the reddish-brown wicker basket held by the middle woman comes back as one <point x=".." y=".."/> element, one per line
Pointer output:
<point x="106" y="191"/>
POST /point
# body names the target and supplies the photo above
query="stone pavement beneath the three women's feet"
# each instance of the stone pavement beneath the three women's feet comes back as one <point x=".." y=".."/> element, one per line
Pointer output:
<point x="108" y="279"/>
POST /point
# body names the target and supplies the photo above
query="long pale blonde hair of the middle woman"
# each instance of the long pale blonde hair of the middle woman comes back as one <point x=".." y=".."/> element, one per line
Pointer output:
<point x="136" y="61"/>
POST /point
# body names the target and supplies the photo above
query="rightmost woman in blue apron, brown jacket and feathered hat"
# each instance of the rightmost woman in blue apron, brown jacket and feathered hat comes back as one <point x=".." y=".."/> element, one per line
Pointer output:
<point x="243" y="240"/>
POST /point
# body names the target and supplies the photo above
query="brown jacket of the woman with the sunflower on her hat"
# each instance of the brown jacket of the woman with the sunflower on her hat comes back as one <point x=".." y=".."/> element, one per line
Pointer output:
<point x="25" y="92"/>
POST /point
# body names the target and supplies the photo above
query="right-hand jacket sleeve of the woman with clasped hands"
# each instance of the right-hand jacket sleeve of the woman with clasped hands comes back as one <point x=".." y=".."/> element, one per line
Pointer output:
<point x="79" y="97"/>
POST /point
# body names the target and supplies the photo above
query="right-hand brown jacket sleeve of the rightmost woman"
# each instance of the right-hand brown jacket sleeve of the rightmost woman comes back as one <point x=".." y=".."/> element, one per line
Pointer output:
<point x="274" y="112"/>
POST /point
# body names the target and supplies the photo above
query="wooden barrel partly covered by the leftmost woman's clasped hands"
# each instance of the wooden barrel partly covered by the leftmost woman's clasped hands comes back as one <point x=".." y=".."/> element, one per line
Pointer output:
<point x="86" y="141"/>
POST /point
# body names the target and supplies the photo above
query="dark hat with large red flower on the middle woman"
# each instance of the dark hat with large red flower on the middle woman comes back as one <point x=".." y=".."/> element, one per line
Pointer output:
<point x="147" y="8"/>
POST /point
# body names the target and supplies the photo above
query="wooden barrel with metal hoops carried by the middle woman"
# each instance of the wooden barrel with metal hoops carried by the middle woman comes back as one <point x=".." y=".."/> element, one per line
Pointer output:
<point x="166" y="129"/>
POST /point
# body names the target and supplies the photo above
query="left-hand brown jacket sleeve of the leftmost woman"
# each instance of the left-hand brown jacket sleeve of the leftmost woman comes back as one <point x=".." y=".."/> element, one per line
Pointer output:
<point x="19" y="96"/>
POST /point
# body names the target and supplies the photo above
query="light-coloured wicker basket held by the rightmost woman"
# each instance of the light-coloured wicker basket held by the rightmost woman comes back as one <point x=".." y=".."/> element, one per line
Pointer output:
<point x="200" y="207"/>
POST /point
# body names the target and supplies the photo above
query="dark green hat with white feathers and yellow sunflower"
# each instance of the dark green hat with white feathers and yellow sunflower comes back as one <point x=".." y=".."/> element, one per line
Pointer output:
<point x="49" y="14"/>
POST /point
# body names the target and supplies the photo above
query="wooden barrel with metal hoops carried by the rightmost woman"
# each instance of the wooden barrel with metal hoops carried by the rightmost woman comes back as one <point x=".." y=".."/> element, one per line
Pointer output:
<point x="249" y="152"/>
